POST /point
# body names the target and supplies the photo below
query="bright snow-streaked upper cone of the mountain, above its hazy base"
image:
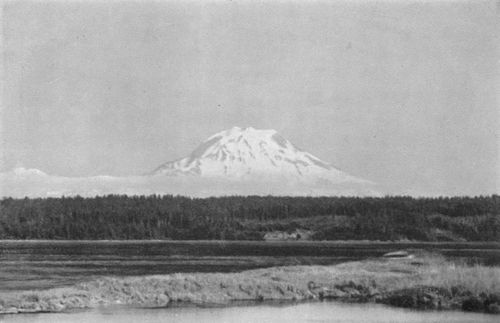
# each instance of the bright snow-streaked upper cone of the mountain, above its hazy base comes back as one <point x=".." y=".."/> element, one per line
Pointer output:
<point x="250" y="153"/>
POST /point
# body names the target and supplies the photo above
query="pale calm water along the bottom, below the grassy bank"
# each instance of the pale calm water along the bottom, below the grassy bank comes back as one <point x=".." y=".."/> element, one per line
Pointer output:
<point x="305" y="312"/>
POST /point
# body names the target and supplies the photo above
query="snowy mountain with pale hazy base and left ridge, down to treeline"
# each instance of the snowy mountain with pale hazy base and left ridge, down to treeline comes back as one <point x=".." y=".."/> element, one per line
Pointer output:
<point x="232" y="162"/>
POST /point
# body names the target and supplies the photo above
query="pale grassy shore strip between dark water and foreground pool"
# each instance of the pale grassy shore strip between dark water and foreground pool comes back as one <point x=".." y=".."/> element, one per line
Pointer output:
<point x="423" y="282"/>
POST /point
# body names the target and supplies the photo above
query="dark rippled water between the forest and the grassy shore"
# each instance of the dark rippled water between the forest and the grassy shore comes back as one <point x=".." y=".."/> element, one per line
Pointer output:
<point x="44" y="264"/>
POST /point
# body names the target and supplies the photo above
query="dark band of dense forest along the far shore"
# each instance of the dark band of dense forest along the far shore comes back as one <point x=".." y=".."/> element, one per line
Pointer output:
<point x="391" y="218"/>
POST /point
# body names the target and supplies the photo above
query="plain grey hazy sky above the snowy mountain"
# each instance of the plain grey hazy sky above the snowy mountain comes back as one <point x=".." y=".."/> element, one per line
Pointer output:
<point x="400" y="93"/>
